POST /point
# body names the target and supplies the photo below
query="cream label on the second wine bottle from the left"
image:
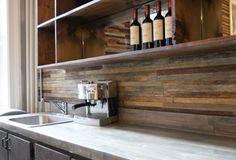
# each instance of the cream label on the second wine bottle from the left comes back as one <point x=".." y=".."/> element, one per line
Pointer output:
<point x="147" y="32"/>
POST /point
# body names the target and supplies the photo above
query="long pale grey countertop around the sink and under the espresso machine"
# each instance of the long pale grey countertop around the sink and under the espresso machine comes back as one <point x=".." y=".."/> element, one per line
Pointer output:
<point x="120" y="141"/>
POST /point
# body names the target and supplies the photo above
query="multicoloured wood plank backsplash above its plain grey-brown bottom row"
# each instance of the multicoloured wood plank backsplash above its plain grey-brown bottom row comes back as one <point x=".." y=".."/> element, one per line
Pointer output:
<point x="203" y="83"/>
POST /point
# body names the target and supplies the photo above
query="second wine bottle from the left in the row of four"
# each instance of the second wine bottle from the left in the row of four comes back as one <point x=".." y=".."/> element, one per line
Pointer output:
<point x="147" y="39"/>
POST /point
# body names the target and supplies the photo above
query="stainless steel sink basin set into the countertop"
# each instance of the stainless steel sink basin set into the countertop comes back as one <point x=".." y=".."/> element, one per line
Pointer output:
<point x="40" y="120"/>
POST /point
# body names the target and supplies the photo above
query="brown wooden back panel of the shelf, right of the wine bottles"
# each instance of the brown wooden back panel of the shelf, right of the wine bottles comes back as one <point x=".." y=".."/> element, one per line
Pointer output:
<point x="213" y="23"/>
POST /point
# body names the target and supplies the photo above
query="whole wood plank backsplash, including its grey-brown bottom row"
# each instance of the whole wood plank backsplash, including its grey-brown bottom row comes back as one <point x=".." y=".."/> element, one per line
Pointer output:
<point x="195" y="92"/>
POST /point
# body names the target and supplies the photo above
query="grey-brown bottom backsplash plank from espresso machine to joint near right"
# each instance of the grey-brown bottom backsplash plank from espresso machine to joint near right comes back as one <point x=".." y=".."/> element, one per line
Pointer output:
<point x="188" y="122"/>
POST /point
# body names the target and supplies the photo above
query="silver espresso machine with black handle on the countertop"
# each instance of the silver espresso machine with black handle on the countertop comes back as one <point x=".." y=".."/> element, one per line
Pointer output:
<point x="100" y="100"/>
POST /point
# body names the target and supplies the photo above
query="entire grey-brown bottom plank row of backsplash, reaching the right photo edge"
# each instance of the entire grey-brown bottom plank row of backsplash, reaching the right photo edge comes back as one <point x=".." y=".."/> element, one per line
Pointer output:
<point x="214" y="125"/>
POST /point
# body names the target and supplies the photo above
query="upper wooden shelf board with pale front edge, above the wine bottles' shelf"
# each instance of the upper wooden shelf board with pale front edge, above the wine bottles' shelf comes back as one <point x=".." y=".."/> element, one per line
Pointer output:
<point x="96" y="9"/>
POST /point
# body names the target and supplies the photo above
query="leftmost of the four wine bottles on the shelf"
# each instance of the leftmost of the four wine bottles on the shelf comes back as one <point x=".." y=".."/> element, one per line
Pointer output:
<point x="135" y="32"/>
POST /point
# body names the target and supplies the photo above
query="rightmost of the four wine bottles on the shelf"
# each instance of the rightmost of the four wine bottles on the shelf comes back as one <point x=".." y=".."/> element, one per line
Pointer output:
<point x="168" y="25"/>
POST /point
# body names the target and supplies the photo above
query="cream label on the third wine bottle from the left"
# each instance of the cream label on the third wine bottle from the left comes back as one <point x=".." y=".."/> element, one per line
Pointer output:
<point x="158" y="30"/>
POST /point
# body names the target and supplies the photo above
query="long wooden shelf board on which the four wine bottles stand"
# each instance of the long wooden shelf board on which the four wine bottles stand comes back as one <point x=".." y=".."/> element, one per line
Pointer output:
<point x="210" y="45"/>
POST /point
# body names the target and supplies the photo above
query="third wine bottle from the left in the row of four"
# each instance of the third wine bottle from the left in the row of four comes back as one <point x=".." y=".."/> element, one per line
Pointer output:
<point x="158" y="27"/>
